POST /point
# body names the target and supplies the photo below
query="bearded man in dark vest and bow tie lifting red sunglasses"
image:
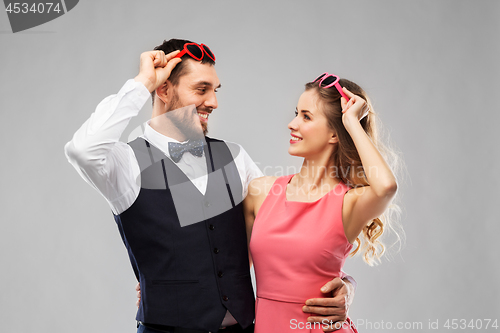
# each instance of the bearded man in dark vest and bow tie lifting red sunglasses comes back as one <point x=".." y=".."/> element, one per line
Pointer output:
<point x="189" y="254"/>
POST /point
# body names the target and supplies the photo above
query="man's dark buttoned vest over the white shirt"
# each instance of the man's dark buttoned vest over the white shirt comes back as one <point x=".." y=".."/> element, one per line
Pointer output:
<point x="188" y="250"/>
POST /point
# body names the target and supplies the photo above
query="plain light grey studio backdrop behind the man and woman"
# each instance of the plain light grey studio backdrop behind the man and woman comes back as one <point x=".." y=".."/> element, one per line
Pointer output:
<point x="430" y="67"/>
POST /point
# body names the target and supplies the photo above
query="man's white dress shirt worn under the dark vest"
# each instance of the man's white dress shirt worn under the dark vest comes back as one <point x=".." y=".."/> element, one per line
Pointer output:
<point x="110" y="166"/>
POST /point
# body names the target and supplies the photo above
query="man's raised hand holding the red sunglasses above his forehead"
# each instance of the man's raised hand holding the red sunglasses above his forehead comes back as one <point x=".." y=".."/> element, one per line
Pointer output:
<point x="155" y="68"/>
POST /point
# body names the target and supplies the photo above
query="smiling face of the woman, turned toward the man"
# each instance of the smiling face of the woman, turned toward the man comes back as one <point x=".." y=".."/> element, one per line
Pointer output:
<point x="311" y="135"/>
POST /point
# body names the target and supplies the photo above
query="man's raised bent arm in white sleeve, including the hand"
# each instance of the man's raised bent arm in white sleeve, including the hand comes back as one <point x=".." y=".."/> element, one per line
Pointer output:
<point x="105" y="163"/>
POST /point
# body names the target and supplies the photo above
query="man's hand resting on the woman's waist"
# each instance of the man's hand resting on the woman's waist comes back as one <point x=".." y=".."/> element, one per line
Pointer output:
<point x="334" y="307"/>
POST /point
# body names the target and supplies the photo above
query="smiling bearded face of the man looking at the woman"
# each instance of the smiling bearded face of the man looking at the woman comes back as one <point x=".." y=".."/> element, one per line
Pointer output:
<point x="198" y="87"/>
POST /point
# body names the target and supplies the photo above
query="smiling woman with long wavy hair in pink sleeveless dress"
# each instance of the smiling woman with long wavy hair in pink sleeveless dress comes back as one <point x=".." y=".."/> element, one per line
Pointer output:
<point x="302" y="227"/>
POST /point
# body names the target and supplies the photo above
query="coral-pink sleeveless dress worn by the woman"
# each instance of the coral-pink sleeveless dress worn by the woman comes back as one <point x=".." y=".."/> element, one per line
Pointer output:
<point x="296" y="247"/>
